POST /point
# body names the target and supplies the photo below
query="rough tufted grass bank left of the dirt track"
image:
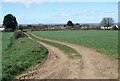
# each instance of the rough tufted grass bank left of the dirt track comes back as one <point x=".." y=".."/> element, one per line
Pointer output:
<point x="22" y="54"/>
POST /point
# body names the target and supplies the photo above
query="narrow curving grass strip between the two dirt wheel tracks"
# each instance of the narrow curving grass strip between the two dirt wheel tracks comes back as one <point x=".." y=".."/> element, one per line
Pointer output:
<point x="67" y="50"/>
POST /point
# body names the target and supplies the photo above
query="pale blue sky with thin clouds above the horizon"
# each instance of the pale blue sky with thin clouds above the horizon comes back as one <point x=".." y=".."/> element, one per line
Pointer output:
<point x="58" y="12"/>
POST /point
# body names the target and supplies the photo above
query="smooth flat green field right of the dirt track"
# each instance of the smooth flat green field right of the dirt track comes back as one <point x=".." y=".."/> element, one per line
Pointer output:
<point x="104" y="41"/>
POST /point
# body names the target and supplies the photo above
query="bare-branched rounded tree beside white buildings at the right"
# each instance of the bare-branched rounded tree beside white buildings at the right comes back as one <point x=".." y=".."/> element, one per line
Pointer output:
<point x="107" y="22"/>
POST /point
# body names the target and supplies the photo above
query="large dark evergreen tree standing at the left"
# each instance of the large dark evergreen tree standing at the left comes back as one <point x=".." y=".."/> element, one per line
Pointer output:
<point x="10" y="22"/>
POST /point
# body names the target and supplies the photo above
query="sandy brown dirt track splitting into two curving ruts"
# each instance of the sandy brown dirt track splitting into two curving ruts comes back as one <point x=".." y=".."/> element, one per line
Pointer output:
<point x="92" y="65"/>
